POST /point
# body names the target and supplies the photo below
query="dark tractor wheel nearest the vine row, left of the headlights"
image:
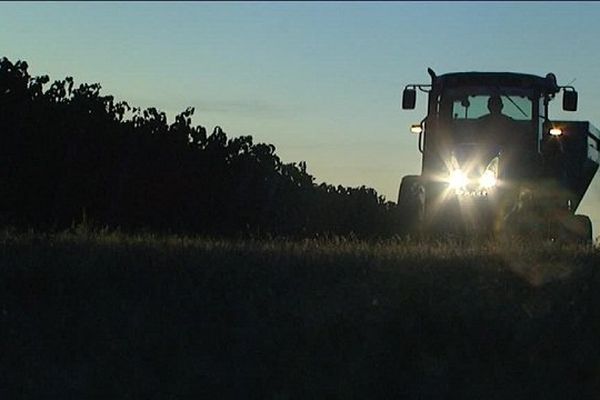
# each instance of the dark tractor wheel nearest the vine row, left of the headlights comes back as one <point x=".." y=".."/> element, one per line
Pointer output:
<point x="411" y="205"/>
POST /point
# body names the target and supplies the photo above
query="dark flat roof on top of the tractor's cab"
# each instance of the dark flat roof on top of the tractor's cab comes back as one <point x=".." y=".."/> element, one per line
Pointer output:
<point x="507" y="79"/>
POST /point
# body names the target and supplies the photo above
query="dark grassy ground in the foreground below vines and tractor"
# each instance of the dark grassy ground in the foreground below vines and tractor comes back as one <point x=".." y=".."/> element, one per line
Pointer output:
<point x="109" y="315"/>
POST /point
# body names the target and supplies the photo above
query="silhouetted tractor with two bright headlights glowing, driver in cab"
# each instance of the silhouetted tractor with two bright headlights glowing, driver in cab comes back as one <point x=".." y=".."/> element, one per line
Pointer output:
<point x="494" y="162"/>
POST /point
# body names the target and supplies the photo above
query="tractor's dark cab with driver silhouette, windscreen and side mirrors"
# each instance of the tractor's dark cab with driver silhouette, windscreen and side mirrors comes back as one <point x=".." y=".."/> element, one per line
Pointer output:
<point x="476" y="115"/>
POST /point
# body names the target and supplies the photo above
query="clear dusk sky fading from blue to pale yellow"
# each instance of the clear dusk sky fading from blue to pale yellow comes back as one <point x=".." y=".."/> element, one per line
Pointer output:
<point x="322" y="81"/>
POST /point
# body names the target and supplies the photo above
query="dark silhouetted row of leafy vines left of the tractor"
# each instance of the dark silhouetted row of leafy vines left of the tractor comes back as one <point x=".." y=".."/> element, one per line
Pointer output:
<point x="70" y="154"/>
